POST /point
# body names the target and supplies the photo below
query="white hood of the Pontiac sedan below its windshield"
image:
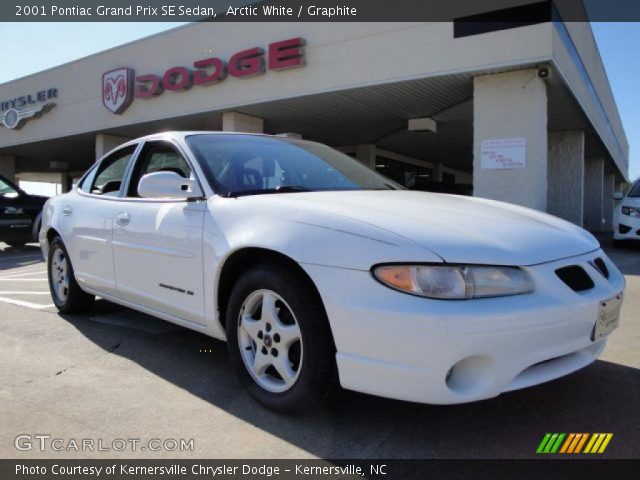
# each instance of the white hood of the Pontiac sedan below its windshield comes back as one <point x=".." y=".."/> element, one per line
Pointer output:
<point x="458" y="229"/>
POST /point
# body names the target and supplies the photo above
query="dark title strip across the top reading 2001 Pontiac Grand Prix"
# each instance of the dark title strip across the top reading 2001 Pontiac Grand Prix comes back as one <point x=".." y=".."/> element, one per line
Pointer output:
<point x="522" y="11"/>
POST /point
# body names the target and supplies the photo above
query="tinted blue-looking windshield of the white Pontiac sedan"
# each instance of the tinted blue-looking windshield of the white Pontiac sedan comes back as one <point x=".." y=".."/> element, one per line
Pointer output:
<point x="249" y="165"/>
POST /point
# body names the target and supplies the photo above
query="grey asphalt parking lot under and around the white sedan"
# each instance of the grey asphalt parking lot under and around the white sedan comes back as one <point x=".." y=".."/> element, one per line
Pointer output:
<point x="115" y="373"/>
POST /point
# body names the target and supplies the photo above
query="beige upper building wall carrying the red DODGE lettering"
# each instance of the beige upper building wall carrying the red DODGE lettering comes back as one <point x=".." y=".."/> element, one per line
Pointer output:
<point x="384" y="52"/>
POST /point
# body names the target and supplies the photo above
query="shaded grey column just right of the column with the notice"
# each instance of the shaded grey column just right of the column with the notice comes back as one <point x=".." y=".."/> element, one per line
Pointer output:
<point x="565" y="175"/>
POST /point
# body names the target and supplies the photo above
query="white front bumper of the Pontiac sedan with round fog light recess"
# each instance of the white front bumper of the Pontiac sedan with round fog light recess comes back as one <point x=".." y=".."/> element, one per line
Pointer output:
<point x="400" y="346"/>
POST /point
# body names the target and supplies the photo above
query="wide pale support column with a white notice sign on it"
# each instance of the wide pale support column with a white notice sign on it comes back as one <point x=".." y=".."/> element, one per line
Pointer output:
<point x="512" y="105"/>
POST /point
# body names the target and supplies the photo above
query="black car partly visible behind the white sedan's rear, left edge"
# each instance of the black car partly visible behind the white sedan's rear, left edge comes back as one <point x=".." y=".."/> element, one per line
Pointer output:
<point x="19" y="214"/>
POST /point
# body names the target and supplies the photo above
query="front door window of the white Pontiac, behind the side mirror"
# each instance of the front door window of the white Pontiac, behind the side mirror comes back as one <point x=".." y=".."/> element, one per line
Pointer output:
<point x="157" y="157"/>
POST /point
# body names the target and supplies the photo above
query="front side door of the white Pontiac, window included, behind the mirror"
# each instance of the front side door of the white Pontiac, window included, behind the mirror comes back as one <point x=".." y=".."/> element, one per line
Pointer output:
<point x="157" y="242"/>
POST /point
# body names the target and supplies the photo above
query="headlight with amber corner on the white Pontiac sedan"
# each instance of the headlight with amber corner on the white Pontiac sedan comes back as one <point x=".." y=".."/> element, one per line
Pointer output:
<point x="454" y="282"/>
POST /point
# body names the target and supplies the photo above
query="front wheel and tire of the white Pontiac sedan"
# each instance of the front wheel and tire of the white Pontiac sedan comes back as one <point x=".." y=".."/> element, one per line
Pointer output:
<point x="311" y="358"/>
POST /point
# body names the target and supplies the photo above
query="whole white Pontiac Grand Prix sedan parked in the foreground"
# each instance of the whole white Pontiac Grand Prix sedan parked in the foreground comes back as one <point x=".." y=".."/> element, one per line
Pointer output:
<point x="317" y="270"/>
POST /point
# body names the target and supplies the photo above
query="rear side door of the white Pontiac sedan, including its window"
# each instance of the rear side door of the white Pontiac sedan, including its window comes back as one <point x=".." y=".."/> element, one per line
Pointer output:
<point x="86" y="221"/>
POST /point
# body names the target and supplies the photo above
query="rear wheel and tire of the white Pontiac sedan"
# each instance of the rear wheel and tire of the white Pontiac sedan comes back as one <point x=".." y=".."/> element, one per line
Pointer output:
<point x="67" y="295"/>
